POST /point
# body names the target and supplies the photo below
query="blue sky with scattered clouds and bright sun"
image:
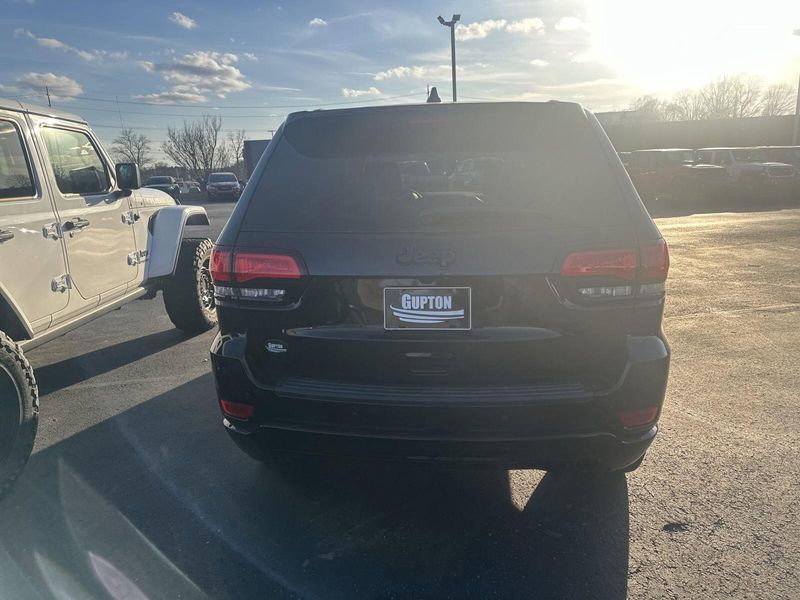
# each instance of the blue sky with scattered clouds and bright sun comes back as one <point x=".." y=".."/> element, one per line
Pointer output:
<point x="152" y="64"/>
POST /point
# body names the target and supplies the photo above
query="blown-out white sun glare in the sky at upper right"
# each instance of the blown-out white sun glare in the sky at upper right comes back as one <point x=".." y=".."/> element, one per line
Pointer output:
<point x="668" y="46"/>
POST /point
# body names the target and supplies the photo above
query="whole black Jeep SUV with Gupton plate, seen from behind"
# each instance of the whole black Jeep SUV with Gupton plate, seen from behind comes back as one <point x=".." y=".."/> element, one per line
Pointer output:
<point x="506" y="309"/>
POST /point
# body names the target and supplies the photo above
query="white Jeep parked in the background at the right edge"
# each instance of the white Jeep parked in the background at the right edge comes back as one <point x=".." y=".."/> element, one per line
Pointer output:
<point x="750" y="171"/>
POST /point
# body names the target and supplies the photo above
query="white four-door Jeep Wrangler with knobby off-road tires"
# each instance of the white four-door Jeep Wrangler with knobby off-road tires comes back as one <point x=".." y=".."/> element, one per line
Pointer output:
<point x="79" y="237"/>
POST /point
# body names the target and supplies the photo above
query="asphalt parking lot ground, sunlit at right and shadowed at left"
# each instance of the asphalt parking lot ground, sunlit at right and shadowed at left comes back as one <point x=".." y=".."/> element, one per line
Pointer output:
<point x="134" y="490"/>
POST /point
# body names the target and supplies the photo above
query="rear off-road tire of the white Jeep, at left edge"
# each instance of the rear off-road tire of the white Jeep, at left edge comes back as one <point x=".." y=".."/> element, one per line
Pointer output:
<point x="19" y="411"/>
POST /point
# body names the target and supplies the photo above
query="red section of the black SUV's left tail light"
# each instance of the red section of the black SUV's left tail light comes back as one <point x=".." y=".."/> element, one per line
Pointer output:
<point x="229" y="265"/>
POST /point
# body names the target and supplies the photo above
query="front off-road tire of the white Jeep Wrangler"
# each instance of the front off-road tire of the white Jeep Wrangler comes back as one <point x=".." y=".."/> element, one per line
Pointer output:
<point x="189" y="293"/>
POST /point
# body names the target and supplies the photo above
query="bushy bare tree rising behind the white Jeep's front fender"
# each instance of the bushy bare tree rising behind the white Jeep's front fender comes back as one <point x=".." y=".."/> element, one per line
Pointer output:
<point x="197" y="146"/>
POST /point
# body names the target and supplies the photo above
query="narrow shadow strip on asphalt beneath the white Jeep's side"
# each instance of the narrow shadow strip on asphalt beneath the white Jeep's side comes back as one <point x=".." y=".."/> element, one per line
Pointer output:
<point x="55" y="376"/>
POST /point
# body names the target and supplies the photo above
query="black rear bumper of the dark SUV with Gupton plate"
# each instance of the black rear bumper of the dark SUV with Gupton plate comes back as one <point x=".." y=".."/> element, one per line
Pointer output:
<point x="544" y="426"/>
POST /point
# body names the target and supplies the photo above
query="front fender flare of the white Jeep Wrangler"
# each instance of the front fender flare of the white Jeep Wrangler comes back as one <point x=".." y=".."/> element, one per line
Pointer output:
<point x="166" y="233"/>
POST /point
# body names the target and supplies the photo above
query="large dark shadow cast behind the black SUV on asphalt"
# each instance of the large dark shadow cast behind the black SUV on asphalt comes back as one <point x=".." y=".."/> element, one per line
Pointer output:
<point x="156" y="501"/>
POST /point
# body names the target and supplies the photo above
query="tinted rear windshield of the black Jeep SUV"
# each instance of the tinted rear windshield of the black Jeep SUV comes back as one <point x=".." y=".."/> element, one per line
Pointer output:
<point x="423" y="169"/>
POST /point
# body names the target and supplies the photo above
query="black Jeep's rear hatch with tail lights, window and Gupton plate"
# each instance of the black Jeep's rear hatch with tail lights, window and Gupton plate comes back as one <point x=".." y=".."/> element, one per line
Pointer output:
<point x="345" y="277"/>
